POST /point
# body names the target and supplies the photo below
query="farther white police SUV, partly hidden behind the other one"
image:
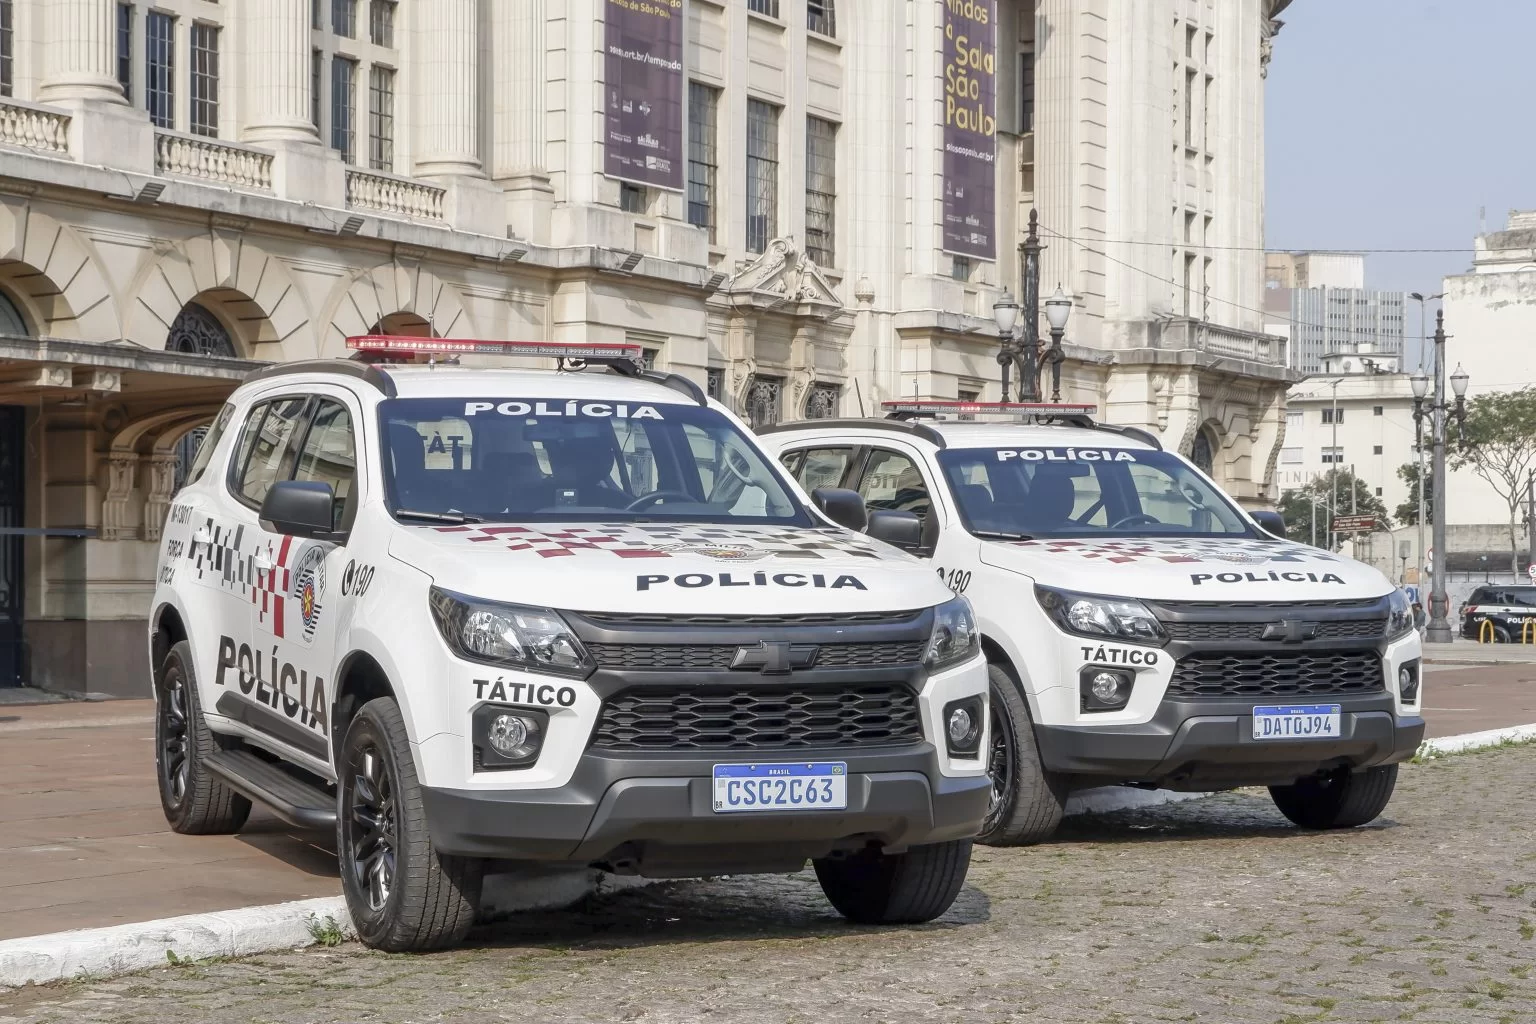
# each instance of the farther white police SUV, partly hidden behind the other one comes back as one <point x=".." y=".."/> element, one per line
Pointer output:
<point x="1142" y="629"/>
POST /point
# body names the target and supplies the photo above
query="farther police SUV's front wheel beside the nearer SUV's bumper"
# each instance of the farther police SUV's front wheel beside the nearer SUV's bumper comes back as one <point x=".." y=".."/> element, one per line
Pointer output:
<point x="1027" y="799"/>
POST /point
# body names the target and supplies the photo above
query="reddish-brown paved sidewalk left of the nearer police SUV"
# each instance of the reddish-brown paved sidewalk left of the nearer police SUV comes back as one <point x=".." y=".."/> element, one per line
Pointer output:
<point x="85" y="844"/>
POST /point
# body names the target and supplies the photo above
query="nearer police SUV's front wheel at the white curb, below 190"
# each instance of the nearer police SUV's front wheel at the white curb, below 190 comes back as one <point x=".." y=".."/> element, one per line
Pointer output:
<point x="403" y="894"/>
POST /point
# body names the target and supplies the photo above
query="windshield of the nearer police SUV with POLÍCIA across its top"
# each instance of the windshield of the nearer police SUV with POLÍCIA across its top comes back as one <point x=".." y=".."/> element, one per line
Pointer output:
<point x="497" y="460"/>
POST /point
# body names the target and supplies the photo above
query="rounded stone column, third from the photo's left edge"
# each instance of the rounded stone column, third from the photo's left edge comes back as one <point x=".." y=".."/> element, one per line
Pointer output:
<point x="449" y="88"/>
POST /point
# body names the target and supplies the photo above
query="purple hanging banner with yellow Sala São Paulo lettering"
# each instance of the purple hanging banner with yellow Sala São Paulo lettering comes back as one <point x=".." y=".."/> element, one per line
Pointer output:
<point x="972" y="128"/>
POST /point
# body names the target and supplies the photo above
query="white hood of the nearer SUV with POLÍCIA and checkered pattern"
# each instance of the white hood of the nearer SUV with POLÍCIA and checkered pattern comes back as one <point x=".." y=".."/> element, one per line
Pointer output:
<point x="664" y="569"/>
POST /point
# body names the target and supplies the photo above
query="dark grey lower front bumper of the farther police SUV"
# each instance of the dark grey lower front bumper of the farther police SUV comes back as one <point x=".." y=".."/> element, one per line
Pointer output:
<point x="1202" y="745"/>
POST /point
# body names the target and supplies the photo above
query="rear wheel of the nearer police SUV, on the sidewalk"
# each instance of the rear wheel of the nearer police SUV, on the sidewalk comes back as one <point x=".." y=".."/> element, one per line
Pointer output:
<point x="196" y="801"/>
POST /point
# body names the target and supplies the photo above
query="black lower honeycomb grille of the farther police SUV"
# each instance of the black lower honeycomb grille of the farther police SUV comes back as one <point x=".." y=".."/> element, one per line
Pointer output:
<point x="1262" y="676"/>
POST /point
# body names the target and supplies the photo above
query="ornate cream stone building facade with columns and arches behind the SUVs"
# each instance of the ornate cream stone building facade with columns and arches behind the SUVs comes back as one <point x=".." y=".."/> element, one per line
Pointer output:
<point x="193" y="188"/>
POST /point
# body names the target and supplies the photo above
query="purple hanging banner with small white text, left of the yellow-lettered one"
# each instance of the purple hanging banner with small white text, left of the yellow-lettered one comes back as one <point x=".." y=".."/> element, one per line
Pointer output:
<point x="646" y="136"/>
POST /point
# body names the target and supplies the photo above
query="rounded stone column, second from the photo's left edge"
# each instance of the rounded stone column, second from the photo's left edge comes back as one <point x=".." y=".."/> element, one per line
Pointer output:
<point x="277" y="82"/>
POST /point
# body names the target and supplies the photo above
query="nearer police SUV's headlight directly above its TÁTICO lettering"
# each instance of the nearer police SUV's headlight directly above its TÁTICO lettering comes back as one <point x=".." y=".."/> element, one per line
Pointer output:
<point x="512" y="636"/>
